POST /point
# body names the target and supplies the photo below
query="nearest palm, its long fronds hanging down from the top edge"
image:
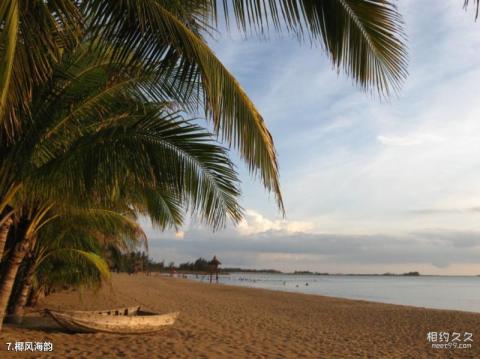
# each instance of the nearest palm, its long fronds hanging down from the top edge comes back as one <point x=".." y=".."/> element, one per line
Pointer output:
<point x="365" y="38"/>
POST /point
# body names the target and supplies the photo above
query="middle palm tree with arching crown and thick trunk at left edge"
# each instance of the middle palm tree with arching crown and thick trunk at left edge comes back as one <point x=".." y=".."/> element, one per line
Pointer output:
<point x="93" y="137"/>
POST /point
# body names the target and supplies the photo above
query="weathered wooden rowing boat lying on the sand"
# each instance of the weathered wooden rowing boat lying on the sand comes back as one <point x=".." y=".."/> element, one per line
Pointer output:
<point x="130" y="320"/>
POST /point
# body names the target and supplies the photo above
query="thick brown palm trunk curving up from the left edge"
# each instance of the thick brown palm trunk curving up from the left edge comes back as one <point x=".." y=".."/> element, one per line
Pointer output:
<point x="16" y="258"/>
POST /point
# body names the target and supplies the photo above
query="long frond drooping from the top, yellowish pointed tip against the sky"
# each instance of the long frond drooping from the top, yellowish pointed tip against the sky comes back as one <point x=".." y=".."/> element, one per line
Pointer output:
<point x="154" y="34"/>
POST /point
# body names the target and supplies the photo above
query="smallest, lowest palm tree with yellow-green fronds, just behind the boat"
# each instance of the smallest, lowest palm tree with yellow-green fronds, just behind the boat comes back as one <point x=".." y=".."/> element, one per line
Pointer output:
<point x="70" y="251"/>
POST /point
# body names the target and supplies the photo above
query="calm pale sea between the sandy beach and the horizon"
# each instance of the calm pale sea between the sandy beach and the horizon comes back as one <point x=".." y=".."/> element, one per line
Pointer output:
<point x="440" y="292"/>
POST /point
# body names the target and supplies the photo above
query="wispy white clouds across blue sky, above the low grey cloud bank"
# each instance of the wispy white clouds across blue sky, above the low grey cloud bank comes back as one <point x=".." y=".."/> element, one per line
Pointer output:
<point x="350" y="163"/>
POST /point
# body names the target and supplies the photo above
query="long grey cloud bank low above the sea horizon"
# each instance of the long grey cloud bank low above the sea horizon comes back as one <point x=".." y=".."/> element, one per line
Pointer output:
<point x="432" y="251"/>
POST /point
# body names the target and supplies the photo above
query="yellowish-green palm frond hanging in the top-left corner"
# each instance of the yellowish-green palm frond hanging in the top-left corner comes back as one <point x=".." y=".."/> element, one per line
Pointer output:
<point x="33" y="37"/>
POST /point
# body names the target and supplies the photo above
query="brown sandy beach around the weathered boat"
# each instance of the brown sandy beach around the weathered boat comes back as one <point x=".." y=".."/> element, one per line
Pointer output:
<point x="220" y="321"/>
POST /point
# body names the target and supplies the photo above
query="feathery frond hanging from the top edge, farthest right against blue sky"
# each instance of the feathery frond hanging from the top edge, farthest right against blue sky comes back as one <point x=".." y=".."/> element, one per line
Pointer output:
<point x="365" y="38"/>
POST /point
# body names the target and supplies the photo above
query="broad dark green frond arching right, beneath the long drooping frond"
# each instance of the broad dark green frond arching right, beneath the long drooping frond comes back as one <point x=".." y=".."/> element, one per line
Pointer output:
<point x="154" y="151"/>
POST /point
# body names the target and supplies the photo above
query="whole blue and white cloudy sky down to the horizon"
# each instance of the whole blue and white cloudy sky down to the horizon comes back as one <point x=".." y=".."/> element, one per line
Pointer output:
<point x="369" y="186"/>
